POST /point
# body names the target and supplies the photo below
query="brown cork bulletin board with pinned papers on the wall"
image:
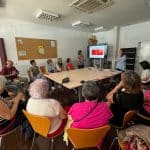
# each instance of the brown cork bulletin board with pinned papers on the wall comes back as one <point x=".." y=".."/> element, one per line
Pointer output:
<point x="29" y="48"/>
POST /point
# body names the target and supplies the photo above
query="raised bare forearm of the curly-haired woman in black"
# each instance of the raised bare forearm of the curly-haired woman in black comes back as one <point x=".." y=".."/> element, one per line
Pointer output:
<point x="109" y="96"/>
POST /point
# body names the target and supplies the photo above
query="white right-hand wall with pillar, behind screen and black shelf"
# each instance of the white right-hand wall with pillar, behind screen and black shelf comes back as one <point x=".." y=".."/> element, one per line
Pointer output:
<point x="128" y="36"/>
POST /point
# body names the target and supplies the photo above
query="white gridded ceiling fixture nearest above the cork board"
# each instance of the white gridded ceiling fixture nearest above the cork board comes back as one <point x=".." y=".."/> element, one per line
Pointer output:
<point x="47" y="15"/>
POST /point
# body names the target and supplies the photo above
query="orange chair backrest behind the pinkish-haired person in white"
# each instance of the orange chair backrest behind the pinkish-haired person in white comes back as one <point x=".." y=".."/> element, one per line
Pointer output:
<point x="40" y="125"/>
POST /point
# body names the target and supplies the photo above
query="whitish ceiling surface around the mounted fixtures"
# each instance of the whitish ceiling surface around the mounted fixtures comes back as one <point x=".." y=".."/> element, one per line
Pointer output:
<point x="122" y="13"/>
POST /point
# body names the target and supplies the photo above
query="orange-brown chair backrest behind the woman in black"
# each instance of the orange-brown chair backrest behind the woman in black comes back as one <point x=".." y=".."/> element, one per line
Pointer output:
<point x="128" y="117"/>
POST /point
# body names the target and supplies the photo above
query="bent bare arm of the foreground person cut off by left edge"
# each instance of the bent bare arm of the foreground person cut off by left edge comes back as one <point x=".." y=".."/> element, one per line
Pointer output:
<point x="7" y="113"/>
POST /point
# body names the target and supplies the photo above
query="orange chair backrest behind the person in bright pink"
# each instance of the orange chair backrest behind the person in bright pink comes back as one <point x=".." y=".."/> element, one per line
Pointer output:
<point x="86" y="138"/>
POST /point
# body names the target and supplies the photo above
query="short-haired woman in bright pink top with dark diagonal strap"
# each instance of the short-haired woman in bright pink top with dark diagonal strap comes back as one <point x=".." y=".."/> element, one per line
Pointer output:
<point x="91" y="113"/>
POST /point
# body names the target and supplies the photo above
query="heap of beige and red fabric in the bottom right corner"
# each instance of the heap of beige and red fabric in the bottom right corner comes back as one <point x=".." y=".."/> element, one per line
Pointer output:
<point x="136" y="137"/>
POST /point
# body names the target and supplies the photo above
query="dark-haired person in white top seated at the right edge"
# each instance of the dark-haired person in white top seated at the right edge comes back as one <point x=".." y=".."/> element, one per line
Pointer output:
<point x="145" y="76"/>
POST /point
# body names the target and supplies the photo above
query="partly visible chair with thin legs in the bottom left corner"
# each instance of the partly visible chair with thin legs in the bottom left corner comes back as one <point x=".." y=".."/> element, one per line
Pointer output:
<point x="7" y="134"/>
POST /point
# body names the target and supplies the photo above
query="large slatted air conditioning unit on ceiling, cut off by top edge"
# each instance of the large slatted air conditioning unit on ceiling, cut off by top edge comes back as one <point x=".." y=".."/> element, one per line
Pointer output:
<point x="90" y="6"/>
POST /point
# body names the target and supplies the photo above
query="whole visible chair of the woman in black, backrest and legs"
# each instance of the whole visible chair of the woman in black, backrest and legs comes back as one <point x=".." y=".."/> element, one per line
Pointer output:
<point x="129" y="116"/>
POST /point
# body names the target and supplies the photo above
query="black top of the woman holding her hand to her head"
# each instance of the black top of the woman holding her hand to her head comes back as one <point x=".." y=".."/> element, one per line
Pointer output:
<point x="123" y="102"/>
